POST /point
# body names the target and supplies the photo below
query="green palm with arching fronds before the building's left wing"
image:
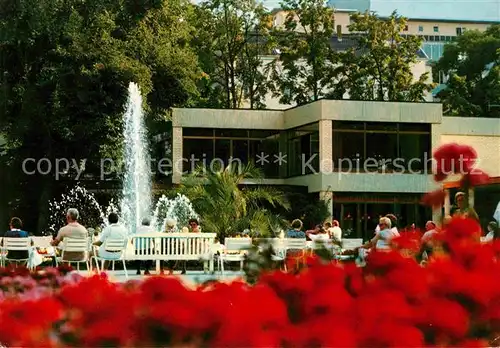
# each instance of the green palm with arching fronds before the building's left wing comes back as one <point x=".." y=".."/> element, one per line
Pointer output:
<point x="227" y="206"/>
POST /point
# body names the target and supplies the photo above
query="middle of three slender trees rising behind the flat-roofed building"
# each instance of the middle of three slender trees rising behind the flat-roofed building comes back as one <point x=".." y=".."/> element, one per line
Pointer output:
<point x="306" y="55"/>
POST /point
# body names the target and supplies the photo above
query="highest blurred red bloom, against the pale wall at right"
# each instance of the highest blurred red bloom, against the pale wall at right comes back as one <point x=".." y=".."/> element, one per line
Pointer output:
<point x="454" y="159"/>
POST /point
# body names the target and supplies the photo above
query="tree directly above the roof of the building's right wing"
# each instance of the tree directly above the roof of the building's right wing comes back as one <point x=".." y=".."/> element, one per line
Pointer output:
<point x="380" y="66"/>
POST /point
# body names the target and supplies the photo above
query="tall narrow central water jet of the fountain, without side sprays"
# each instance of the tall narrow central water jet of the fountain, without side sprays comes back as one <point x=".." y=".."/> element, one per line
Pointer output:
<point x="136" y="190"/>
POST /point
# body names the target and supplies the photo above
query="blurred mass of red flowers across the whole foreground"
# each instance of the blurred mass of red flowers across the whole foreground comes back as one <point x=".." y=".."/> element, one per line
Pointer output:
<point x="454" y="301"/>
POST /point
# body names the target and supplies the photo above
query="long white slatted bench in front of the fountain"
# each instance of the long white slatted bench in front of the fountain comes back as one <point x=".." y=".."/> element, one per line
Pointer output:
<point x="172" y="247"/>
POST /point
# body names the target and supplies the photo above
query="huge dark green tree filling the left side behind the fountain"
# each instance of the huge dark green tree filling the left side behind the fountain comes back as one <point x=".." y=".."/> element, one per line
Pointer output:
<point x="64" y="70"/>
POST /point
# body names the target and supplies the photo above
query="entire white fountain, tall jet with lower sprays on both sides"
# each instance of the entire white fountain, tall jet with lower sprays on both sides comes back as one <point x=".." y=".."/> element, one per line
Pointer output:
<point x="135" y="202"/>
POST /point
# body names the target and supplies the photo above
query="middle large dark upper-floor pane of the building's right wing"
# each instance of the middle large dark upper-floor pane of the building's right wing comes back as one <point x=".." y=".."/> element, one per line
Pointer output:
<point x="381" y="151"/>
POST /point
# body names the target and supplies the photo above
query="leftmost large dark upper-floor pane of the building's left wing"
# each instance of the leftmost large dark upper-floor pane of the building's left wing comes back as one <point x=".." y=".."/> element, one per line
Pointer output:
<point x="197" y="152"/>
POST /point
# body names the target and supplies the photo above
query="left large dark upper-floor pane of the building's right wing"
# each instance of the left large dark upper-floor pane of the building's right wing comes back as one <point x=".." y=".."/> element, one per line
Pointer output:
<point x="348" y="150"/>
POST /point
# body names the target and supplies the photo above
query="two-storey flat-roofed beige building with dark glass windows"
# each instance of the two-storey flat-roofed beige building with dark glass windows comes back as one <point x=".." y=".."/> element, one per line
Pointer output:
<point x="364" y="158"/>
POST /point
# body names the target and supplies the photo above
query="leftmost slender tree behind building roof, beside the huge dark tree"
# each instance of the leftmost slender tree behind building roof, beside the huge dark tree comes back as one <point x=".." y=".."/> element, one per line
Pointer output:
<point x="232" y="36"/>
